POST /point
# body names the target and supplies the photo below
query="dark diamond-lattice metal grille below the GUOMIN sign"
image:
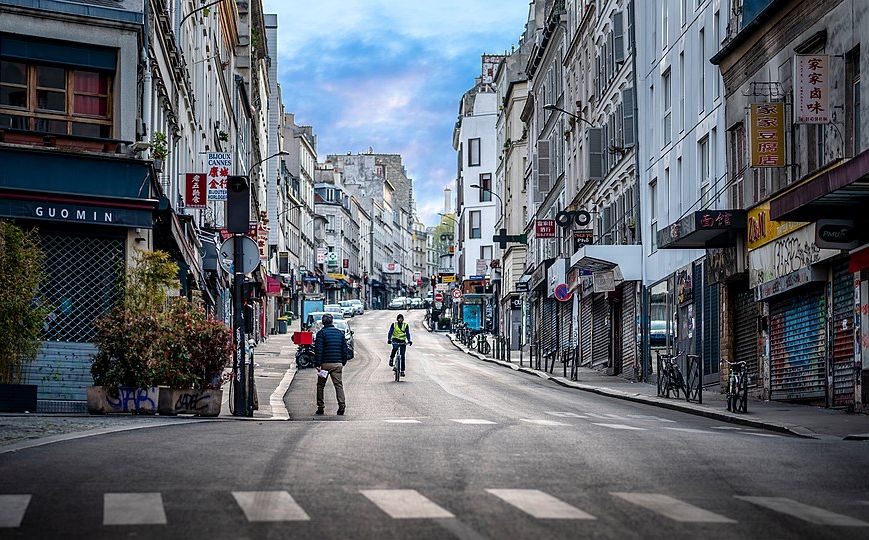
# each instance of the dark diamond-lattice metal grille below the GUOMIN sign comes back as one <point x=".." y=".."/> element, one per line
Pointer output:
<point x="81" y="283"/>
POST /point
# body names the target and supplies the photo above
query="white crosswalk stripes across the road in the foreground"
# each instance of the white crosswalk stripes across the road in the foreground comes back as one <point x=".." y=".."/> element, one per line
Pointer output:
<point x="147" y="509"/>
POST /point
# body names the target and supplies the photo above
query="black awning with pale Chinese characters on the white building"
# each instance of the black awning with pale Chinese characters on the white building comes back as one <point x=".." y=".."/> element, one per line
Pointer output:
<point x="703" y="229"/>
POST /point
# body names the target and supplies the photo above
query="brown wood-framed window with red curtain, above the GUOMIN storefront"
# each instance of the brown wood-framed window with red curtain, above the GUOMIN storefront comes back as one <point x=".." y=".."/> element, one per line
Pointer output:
<point x="50" y="99"/>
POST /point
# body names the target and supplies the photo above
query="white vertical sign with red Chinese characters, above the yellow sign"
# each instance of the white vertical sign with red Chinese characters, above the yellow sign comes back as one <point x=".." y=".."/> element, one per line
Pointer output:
<point x="811" y="89"/>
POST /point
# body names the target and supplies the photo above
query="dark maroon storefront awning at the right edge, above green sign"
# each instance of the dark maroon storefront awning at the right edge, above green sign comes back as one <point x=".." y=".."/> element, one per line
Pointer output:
<point x="840" y="191"/>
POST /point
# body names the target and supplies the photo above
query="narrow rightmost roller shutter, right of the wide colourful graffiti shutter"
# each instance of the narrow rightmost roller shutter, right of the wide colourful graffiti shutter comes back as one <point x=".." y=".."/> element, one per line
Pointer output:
<point x="843" y="336"/>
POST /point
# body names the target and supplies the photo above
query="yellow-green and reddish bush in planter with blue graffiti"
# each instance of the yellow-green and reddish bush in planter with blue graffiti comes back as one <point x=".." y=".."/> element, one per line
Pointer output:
<point x="128" y="339"/>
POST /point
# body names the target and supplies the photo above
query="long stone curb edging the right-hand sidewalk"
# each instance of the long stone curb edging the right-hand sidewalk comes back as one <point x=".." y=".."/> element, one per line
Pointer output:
<point x="796" y="431"/>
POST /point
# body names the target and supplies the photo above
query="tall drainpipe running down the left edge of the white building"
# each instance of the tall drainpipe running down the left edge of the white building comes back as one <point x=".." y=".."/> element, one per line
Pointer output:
<point x="644" y="304"/>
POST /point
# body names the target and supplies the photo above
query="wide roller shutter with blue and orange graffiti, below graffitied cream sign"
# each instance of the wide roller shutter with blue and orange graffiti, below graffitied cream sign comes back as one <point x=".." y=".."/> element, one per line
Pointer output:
<point x="798" y="345"/>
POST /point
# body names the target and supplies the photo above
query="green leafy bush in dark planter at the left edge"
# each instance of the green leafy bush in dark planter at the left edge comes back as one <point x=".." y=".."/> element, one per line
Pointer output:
<point x="22" y="314"/>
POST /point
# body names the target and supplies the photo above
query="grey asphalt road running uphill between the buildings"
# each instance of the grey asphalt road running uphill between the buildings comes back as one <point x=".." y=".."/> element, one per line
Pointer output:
<point x="458" y="449"/>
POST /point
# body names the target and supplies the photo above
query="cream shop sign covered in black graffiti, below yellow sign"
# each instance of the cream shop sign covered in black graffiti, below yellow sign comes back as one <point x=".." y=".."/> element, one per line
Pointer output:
<point x="785" y="255"/>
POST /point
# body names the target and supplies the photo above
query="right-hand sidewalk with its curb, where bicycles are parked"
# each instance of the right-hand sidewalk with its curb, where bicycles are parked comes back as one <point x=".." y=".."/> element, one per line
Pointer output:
<point x="800" y="420"/>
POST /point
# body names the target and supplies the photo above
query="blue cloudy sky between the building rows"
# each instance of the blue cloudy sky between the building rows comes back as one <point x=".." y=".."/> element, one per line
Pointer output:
<point x="388" y="74"/>
